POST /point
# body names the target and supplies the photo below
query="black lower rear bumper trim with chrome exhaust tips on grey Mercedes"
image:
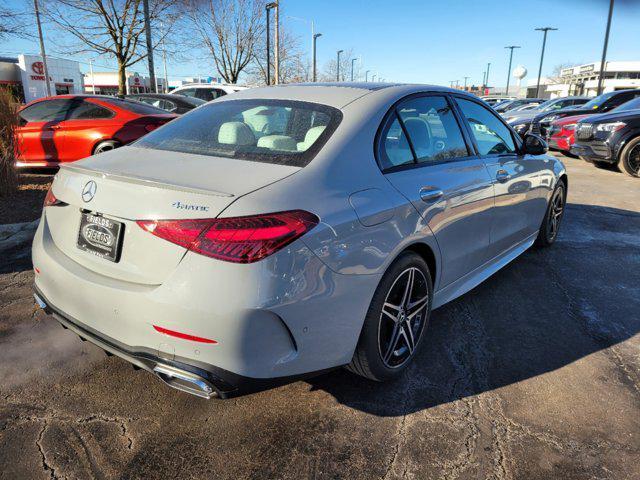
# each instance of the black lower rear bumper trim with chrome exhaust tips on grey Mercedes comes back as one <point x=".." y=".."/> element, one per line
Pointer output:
<point x="197" y="378"/>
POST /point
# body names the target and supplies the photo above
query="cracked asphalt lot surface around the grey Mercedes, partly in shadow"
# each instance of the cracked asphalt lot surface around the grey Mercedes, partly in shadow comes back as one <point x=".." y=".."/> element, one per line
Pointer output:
<point x="534" y="374"/>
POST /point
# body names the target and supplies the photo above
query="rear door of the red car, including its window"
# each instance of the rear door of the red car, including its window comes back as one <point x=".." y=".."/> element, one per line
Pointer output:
<point x="84" y="126"/>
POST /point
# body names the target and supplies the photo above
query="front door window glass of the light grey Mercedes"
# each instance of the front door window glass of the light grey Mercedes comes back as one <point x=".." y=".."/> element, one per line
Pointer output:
<point x="492" y="136"/>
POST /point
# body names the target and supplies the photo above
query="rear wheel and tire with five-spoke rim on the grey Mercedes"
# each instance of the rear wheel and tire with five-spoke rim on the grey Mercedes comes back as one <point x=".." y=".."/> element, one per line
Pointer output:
<point x="386" y="346"/>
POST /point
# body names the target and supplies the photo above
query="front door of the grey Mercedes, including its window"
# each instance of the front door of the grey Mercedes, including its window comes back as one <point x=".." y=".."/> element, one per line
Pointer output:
<point x="518" y="180"/>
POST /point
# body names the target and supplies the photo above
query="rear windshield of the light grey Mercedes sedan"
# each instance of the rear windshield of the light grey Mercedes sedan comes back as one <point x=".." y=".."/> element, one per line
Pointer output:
<point x="271" y="131"/>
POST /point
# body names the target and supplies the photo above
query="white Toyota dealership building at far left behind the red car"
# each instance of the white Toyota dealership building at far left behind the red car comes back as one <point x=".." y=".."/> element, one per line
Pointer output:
<point x="25" y="76"/>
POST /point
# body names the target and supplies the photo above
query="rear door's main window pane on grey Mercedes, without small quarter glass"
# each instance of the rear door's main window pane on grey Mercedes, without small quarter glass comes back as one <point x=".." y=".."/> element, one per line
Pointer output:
<point x="432" y="129"/>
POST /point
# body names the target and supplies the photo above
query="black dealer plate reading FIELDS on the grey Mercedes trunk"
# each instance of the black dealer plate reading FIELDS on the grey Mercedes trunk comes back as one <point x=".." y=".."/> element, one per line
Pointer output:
<point x="100" y="236"/>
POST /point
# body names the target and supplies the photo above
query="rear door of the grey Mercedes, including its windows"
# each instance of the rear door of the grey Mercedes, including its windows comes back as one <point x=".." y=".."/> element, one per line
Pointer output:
<point x="424" y="154"/>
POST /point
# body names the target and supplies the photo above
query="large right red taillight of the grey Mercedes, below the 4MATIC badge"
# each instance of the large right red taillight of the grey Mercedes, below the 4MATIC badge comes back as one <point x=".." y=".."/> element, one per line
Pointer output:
<point x="235" y="239"/>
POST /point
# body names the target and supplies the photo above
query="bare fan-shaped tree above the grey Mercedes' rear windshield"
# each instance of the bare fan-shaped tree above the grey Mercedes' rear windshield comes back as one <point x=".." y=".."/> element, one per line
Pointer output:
<point x="230" y="30"/>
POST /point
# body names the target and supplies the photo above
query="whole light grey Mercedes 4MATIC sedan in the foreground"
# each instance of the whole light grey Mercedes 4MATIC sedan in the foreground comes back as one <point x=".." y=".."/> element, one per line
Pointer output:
<point x="284" y="231"/>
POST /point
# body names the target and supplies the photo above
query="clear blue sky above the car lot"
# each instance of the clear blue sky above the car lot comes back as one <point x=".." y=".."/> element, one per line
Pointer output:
<point x="429" y="41"/>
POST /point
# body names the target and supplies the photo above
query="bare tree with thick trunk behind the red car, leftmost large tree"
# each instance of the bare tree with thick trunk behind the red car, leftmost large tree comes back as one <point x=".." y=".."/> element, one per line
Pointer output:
<point x="111" y="27"/>
